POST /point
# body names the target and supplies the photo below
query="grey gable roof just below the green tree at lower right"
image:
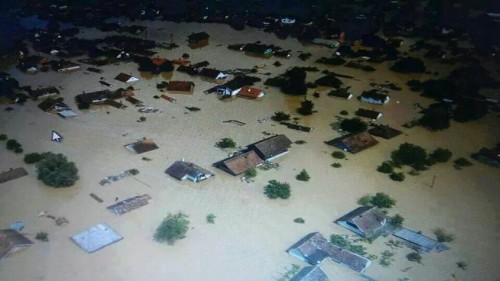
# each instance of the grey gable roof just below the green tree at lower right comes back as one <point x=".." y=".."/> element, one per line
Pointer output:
<point x="367" y="219"/>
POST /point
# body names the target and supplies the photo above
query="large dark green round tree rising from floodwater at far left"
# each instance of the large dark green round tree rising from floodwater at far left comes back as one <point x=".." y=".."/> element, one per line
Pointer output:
<point x="56" y="171"/>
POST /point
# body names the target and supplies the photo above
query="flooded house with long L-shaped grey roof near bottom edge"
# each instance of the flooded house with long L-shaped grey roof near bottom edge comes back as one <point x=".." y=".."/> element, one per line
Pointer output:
<point x="314" y="248"/>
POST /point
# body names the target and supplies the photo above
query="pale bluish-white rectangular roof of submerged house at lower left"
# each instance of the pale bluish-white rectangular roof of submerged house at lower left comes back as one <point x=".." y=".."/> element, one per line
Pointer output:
<point x="96" y="238"/>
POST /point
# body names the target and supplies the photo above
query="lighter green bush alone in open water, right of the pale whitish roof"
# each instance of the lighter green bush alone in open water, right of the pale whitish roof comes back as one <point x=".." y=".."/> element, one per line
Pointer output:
<point x="172" y="228"/>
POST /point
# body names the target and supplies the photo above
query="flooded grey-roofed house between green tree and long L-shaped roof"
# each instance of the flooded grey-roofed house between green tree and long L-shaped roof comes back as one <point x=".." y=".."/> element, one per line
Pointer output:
<point x="367" y="221"/>
